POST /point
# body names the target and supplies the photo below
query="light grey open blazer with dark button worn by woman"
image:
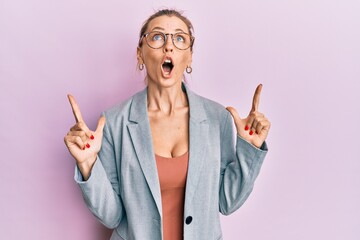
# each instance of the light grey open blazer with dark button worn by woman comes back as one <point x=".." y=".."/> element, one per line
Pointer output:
<point x="123" y="191"/>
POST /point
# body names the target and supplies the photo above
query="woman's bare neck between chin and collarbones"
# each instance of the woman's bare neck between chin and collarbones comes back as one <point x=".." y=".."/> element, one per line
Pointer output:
<point x="166" y="100"/>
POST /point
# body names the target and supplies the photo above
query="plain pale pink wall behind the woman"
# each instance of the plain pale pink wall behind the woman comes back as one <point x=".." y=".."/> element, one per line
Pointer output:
<point x="305" y="52"/>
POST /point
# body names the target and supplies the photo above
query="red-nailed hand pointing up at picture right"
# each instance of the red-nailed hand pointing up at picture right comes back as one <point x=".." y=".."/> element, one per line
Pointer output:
<point x="255" y="127"/>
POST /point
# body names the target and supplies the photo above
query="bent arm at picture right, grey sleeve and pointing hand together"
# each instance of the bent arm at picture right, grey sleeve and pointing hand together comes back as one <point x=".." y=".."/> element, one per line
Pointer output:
<point x="241" y="166"/>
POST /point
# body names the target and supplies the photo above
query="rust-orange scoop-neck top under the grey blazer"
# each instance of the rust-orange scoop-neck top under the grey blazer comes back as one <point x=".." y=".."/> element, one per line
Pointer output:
<point x="172" y="175"/>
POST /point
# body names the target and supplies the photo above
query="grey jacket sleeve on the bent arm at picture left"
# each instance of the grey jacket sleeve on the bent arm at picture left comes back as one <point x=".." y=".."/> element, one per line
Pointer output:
<point x="101" y="191"/>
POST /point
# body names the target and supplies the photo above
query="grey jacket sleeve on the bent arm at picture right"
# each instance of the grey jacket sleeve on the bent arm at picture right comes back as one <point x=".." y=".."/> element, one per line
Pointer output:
<point x="239" y="168"/>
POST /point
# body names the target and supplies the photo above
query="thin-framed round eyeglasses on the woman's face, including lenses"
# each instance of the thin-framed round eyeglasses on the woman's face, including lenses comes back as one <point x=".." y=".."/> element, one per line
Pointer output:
<point x="158" y="39"/>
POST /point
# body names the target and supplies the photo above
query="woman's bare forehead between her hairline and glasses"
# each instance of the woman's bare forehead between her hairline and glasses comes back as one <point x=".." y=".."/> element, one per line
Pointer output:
<point x="169" y="24"/>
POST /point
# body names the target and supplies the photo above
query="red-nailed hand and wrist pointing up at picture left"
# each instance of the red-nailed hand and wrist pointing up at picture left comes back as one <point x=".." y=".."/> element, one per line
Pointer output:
<point x="84" y="144"/>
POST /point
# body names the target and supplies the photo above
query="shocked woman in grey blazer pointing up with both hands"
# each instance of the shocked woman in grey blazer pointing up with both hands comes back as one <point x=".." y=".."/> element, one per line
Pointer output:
<point x="165" y="164"/>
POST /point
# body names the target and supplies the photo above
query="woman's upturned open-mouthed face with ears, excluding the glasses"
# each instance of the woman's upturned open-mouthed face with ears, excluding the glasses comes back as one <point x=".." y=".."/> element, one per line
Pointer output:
<point x="165" y="66"/>
